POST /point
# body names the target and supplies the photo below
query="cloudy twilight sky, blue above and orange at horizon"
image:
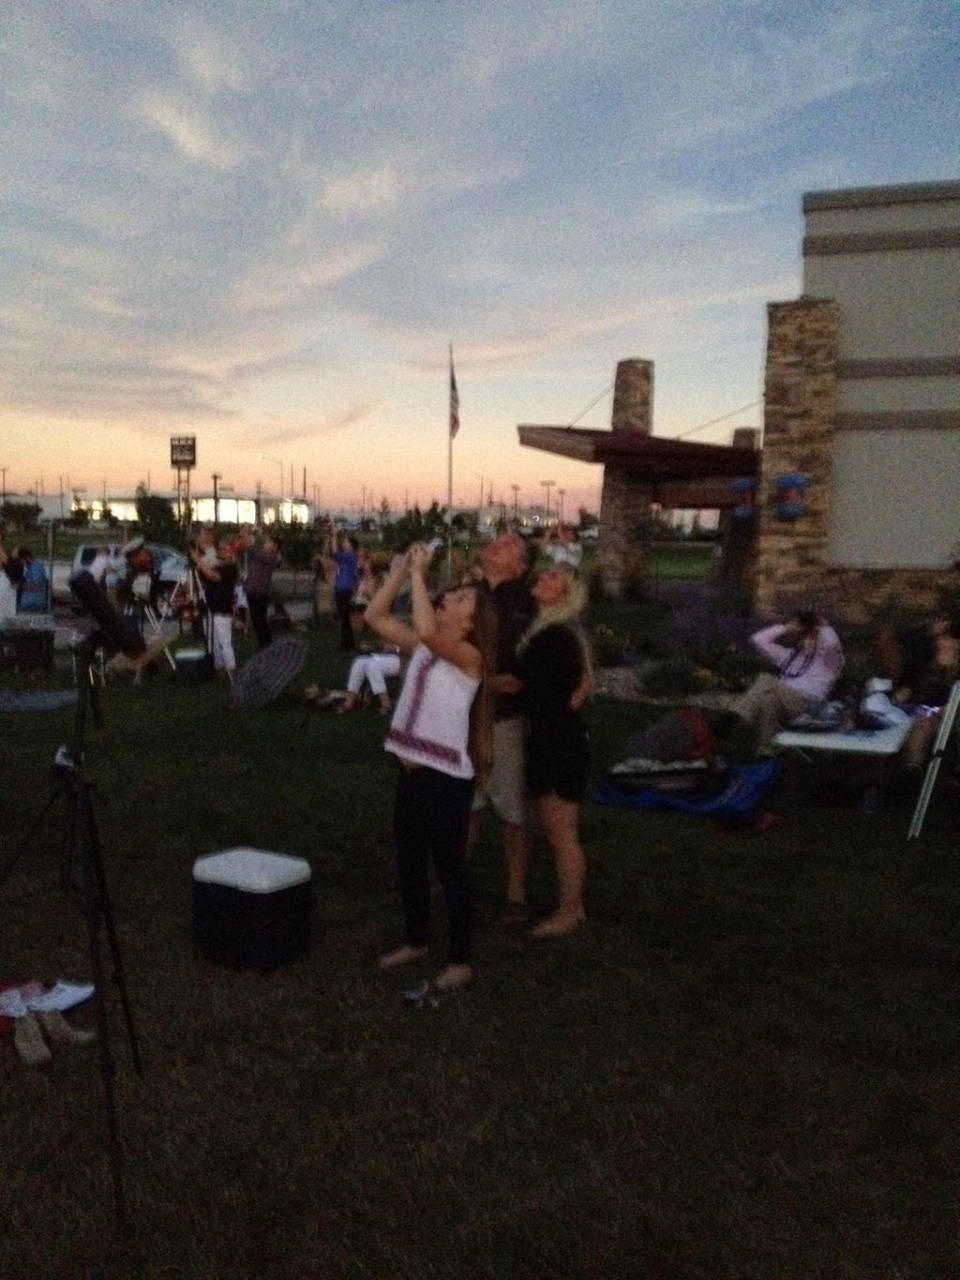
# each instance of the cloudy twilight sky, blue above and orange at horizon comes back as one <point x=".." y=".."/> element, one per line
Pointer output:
<point x="264" y="222"/>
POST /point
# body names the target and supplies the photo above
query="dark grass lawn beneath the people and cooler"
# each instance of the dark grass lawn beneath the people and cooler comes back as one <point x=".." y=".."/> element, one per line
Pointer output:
<point x="744" y="1067"/>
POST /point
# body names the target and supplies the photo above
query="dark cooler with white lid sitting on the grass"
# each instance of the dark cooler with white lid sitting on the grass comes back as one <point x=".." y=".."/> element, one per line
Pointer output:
<point x="252" y="909"/>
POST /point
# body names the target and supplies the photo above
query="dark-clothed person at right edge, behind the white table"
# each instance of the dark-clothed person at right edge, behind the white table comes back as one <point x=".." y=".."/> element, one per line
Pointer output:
<point x="931" y="664"/>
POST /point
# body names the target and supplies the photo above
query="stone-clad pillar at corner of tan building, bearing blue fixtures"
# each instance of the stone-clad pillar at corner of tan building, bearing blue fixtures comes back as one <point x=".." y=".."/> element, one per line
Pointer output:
<point x="801" y="401"/>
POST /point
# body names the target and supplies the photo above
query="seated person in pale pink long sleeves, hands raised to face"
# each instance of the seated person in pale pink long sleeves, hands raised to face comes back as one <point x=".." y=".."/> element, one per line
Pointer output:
<point x="808" y="657"/>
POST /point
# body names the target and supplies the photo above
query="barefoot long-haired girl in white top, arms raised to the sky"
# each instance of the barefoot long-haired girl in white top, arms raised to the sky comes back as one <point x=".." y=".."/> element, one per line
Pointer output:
<point x="441" y="735"/>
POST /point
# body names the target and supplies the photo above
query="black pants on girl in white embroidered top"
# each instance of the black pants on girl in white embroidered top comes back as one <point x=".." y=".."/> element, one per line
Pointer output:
<point x="431" y="817"/>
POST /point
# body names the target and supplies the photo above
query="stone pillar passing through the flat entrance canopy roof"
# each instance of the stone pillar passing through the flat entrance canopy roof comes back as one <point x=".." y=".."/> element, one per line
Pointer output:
<point x="625" y="502"/>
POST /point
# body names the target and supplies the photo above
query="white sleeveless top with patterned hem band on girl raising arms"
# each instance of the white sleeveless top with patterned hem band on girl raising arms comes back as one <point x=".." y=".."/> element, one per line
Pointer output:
<point x="432" y="723"/>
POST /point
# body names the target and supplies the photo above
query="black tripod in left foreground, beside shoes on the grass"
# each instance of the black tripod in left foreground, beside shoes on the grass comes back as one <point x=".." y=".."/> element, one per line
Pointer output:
<point x="81" y="845"/>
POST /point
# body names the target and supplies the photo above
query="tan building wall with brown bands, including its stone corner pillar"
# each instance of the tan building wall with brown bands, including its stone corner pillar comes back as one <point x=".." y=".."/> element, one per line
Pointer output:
<point x="863" y="399"/>
